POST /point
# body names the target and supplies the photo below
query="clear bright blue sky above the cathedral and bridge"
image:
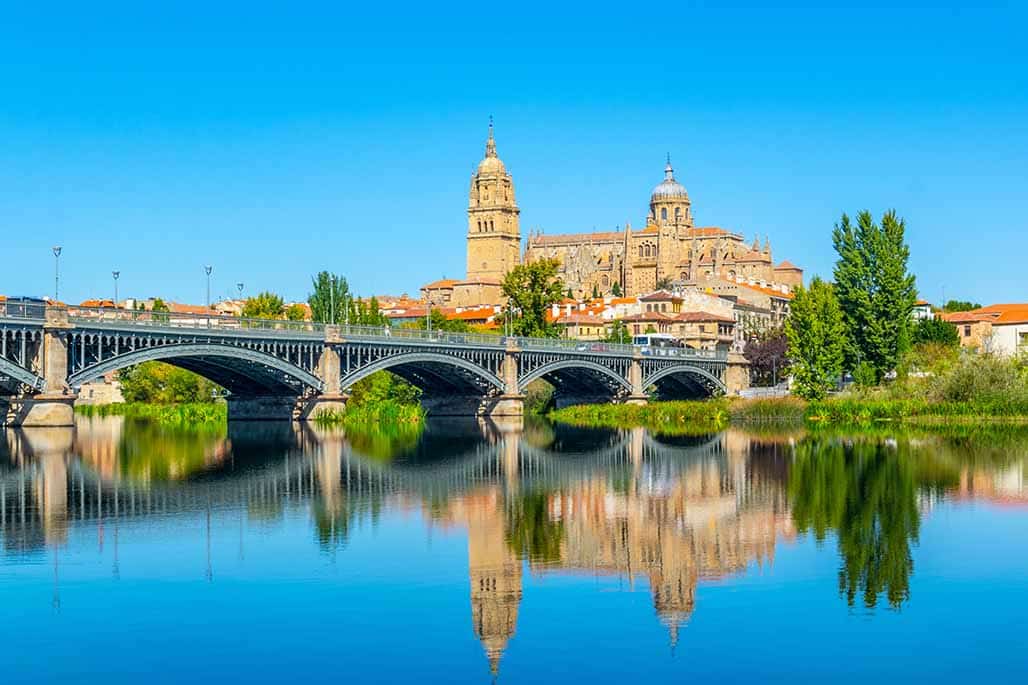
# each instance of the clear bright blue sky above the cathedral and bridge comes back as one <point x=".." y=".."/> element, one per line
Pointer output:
<point x="277" y="142"/>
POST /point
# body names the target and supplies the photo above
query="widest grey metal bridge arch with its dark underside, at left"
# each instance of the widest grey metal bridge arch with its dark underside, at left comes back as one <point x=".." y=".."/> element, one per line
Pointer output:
<point x="241" y="371"/>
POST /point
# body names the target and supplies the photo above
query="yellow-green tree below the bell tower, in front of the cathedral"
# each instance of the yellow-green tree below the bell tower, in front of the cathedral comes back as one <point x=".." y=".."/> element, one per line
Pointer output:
<point x="532" y="290"/>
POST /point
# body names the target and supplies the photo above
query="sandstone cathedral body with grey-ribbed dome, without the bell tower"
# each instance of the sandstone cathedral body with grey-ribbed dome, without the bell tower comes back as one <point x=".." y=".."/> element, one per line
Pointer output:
<point x="670" y="248"/>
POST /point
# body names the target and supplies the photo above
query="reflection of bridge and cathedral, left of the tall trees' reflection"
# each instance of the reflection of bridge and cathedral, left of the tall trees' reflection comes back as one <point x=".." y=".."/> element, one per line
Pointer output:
<point x="623" y="503"/>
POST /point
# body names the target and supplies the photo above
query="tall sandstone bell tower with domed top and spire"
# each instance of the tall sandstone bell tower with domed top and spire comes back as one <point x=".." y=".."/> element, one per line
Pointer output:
<point x="494" y="231"/>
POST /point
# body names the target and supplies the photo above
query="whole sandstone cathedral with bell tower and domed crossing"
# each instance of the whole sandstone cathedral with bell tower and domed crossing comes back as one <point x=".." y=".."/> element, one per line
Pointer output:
<point x="670" y="249"/>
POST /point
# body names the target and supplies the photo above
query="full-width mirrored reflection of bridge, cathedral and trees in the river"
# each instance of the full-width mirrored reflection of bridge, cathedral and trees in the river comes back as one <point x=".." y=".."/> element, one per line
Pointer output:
<point x="669" y="514"/>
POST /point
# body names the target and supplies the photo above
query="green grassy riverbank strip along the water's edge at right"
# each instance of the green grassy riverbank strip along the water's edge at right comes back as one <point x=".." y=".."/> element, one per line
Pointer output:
<point x="717" y="414"/>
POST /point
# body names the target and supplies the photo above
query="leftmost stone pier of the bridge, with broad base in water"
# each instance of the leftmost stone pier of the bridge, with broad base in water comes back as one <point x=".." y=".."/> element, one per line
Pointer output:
<point x="55" y="406"/>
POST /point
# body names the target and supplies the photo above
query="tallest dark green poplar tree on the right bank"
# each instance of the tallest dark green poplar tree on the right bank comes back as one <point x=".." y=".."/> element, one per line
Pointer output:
<point x="875" y="291"/>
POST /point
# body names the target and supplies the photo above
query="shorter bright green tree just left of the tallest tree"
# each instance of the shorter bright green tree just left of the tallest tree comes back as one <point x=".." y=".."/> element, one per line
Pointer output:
<point x="816" y="333"/>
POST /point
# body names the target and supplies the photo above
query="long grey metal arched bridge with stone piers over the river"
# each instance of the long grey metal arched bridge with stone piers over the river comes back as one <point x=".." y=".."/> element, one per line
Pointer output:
<point x="277" y="370"/>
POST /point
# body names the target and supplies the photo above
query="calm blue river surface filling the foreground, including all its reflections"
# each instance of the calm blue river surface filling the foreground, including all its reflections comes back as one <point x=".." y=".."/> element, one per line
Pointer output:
<point x="473" y="553"/>
